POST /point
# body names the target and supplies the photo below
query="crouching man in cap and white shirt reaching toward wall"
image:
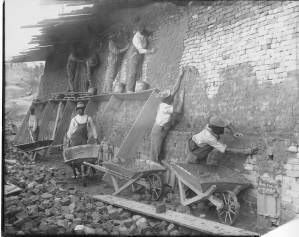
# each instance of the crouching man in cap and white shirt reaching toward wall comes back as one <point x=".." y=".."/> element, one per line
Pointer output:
<point x="206" y="144"/>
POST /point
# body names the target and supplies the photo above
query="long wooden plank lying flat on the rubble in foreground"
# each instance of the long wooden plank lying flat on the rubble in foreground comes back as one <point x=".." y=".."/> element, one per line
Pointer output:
<point x="189" y="221"/>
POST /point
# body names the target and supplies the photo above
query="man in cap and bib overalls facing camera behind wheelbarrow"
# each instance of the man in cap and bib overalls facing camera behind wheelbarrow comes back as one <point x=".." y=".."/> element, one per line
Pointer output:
<point x="78" y="132"/>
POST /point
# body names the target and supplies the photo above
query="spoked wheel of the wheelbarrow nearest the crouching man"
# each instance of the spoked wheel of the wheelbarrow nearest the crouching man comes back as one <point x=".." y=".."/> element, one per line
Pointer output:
<point x="231" y="207"/>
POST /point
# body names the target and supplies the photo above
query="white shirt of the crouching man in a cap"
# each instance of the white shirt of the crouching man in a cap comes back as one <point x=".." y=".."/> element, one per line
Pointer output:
<point x="207" y="136"/>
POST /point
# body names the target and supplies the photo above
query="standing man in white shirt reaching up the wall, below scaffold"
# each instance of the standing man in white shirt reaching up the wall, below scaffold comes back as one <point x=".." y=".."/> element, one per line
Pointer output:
<point x="169" y="112"/>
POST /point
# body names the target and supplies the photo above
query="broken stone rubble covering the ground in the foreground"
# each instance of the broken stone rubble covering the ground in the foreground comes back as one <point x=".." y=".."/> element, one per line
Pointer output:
<point x="53" y="203"/>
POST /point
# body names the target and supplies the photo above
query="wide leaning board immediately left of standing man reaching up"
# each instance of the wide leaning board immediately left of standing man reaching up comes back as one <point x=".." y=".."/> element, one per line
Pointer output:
<point x="144" y="121"/>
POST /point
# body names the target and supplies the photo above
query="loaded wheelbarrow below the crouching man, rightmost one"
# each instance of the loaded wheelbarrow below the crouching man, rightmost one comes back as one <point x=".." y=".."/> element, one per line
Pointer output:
<point x="219" y="185"/>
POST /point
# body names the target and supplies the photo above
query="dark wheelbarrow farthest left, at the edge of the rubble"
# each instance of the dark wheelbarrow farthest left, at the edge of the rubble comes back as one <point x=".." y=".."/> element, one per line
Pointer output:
<point x="30" y="149"/>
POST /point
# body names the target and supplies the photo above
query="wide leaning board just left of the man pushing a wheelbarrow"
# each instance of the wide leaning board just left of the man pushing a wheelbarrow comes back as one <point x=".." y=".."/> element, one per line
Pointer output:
<point x="64" y="122"/>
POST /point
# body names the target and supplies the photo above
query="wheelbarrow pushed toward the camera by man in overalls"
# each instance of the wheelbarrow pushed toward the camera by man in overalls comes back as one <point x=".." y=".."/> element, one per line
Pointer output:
<point x="76" y="156"/>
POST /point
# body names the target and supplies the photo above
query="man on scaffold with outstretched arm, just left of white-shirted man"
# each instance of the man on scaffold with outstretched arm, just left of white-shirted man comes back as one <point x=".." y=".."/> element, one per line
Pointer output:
<point x="113" y="60"/>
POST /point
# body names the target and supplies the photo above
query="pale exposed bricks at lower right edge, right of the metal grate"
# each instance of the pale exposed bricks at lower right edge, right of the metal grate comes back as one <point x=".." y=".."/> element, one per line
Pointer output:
<point x="290" y="184"/>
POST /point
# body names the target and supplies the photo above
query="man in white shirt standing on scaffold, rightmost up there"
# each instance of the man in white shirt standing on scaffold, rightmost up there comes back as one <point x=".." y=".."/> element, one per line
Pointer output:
<point x="136" y="52"/>
